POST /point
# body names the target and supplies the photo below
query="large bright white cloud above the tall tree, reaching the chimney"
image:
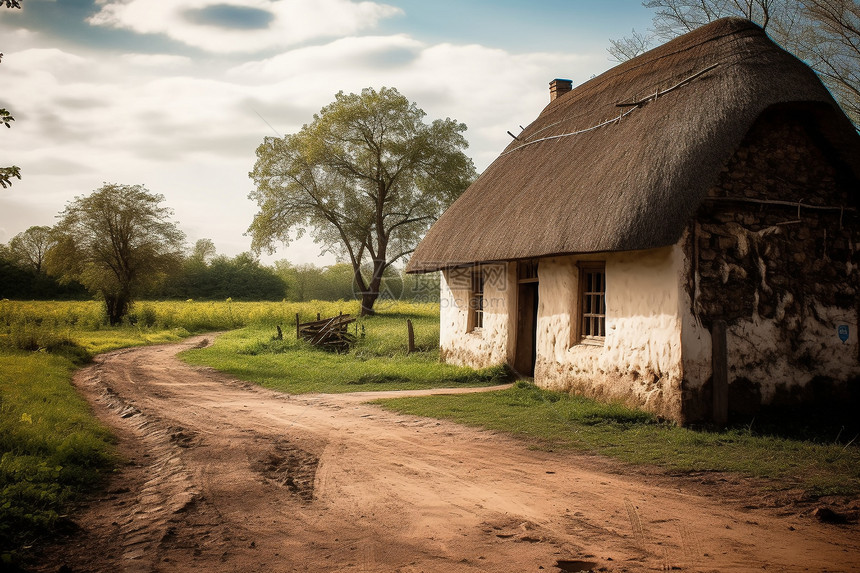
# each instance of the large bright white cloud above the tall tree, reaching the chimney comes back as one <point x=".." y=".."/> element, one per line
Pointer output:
<point x="491" y="90"/>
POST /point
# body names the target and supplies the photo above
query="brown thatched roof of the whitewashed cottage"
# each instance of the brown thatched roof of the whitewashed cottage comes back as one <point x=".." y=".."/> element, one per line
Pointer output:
<point x="632" y="184"/>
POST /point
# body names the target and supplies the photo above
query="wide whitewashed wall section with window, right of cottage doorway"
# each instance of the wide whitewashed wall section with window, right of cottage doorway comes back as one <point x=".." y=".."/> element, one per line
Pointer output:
<point x="640" y="361"/>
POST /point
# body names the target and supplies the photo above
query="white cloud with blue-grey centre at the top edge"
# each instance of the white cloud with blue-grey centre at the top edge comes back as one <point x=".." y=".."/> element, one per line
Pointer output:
<point x="242" y="26"/>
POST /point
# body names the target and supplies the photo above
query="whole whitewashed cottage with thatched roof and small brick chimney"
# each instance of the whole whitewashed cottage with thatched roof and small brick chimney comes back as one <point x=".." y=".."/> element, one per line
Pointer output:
<point x="679" y="233"/>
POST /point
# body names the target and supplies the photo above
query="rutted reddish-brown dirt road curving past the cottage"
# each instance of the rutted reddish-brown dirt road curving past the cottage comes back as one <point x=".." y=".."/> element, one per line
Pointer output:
<point x="225" y="476"/>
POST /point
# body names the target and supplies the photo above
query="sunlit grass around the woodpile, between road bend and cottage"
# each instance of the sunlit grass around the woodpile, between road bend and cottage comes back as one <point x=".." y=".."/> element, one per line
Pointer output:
<point x="377" y="362"/>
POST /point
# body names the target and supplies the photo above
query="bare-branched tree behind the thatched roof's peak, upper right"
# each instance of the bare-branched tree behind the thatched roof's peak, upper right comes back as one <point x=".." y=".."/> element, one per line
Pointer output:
<point x="823" y="33"/>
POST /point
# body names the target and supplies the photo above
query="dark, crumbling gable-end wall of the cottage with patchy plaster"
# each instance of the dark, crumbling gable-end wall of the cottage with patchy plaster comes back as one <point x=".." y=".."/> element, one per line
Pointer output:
<point x="773" y="253"/>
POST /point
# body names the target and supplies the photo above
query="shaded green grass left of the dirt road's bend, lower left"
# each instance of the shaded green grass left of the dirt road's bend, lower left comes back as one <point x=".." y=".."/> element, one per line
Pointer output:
<point x="51" y="448"/>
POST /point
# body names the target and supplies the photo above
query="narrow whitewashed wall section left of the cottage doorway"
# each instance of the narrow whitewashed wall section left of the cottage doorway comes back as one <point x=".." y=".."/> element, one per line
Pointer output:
<point x="480" y="347"/>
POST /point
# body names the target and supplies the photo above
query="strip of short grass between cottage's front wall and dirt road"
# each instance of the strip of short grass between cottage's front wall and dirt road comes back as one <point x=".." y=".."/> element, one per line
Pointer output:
<point x="552" y="420"/>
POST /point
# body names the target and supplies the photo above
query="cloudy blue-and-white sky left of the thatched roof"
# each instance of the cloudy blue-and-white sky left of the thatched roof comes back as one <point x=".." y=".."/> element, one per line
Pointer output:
<point x="176" y="95"/>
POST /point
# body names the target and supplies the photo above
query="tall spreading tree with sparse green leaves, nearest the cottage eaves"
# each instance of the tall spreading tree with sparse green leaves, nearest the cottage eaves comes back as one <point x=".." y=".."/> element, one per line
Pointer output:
<point x="367" y="175"/>
